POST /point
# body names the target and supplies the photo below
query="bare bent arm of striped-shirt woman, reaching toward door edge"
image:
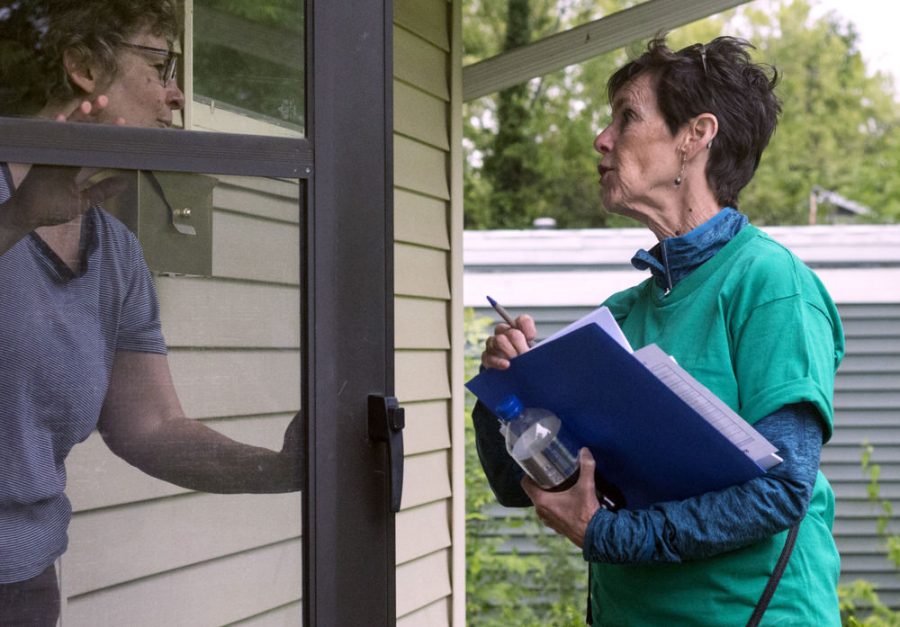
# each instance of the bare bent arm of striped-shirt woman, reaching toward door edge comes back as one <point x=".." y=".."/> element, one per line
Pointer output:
<point x="143" y="423"/>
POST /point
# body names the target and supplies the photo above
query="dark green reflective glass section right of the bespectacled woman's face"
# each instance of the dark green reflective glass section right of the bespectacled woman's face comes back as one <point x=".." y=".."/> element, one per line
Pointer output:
<point x="248" y="66"/>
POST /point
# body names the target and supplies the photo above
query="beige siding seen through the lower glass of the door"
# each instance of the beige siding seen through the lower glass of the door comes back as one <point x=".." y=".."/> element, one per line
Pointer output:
<point x="146" y="552"/>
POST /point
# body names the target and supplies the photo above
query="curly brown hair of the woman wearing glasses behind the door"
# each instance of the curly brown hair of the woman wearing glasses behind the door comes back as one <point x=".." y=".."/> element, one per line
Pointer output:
<point x="35" y="34"/>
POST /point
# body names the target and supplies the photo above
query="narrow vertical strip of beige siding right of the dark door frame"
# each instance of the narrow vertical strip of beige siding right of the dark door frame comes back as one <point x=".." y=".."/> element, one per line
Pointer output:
<point x="423" y="309"/>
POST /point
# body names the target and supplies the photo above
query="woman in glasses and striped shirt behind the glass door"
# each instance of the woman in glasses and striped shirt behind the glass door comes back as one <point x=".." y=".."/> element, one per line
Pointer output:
<point x="80" y="339"/>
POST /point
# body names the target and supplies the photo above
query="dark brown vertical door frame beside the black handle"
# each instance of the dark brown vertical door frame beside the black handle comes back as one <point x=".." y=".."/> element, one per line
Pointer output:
<point x="349" y="563"/>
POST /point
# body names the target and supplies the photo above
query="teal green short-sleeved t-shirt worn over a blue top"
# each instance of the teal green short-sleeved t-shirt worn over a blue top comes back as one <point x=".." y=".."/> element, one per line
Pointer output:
<point x="755" y="326"/>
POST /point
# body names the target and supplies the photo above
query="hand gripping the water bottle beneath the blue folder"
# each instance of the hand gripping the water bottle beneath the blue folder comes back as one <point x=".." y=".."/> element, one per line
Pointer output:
<point x="568" y="512"/>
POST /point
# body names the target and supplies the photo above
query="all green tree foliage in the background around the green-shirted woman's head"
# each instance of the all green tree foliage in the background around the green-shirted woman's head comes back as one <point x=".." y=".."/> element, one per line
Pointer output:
<point x="838" y="129"/>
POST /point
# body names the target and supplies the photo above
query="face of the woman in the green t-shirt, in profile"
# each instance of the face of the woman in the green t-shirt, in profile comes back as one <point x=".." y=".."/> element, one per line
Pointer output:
<point x="640" y="157"/>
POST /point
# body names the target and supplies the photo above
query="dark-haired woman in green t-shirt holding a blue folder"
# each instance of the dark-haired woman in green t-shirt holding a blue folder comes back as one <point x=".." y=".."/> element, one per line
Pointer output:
<point x="738" y="311"/>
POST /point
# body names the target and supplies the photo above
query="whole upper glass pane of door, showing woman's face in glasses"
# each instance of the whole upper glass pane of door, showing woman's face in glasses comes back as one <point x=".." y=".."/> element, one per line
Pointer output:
<point x="242" y="67"/>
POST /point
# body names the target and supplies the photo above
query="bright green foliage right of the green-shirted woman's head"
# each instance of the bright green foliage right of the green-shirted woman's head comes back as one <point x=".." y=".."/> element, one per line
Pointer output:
<point x="835" y="129"/>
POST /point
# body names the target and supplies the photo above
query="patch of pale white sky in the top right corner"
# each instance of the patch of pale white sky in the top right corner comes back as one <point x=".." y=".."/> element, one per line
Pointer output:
<point x="877" y="22"/>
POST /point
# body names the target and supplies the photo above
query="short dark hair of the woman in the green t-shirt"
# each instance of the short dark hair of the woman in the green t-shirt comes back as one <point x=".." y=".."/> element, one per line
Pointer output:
<point x="718" y="78"/>
